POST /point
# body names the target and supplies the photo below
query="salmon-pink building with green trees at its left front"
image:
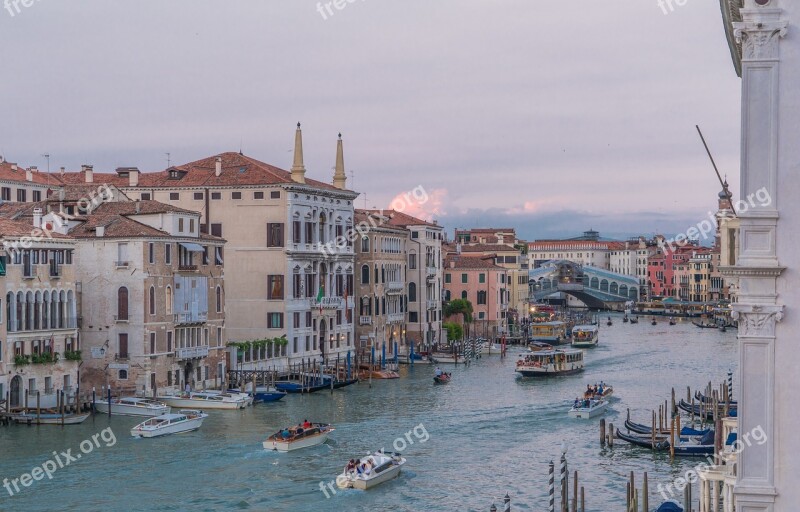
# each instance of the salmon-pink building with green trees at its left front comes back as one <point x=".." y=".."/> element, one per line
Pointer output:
<point x="485" y="284"/>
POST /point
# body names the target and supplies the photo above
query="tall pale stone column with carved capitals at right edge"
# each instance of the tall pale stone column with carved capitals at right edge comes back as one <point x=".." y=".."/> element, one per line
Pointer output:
<point x="758" y="269"/>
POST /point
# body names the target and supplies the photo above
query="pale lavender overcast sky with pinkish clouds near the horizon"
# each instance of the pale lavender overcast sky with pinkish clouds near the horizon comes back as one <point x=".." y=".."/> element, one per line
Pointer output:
<point x="551" y="117"/>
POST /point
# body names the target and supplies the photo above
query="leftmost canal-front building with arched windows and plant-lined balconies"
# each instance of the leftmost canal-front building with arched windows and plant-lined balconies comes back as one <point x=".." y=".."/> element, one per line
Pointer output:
<point x="40" y="349"/>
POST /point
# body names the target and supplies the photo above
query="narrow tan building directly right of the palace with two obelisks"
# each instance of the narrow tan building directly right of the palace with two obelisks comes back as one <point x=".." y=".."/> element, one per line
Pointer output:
<point x="381" y="283"/>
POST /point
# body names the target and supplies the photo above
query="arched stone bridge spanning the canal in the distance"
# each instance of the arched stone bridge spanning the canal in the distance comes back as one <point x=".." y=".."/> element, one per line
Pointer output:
<point x="595" y="287"/>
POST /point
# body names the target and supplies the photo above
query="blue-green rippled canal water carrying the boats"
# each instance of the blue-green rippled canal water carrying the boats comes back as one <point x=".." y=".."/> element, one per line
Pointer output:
<point x="489" y="433"/>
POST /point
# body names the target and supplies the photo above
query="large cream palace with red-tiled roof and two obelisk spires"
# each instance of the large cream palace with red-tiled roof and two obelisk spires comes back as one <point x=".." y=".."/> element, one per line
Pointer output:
<point x="289" y="264"/>
